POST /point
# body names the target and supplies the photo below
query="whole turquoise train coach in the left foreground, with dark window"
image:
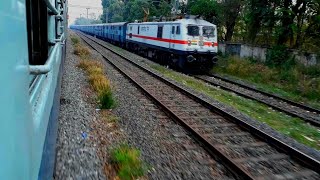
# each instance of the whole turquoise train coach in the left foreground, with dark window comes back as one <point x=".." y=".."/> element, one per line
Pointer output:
<point x="32" y="48"/>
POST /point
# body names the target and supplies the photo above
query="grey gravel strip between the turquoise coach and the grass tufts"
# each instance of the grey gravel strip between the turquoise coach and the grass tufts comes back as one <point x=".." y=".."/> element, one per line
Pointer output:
<point x="76" y="152"/>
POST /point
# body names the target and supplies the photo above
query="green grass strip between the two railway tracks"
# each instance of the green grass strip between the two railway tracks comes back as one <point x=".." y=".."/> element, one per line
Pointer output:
<point x="287" y="125"/>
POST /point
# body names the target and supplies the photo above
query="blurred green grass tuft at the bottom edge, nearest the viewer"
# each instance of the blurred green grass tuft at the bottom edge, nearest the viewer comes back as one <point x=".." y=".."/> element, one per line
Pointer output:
<point x="127" y="162"/>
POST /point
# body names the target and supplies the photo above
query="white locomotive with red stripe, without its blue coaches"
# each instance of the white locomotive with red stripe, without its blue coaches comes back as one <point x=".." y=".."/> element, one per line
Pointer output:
<point x="186" y="43"/>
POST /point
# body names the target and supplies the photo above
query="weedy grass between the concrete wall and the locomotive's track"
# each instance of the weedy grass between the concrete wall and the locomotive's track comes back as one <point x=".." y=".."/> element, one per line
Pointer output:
<point x="298" y="83"/>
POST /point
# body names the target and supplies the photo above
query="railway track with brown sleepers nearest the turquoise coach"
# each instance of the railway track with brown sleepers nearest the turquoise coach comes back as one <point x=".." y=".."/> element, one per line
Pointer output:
<point x="247" y="151"/>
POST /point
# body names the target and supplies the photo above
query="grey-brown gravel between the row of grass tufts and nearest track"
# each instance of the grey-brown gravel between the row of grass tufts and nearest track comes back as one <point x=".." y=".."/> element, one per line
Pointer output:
<point x="167" y="149"/>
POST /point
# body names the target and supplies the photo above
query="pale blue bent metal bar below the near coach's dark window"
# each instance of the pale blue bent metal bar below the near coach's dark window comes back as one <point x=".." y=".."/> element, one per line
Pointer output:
<point x="46" y="68"/>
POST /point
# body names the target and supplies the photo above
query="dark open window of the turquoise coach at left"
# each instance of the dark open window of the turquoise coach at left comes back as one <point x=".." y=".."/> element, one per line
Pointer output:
<point x="37" y="28"/>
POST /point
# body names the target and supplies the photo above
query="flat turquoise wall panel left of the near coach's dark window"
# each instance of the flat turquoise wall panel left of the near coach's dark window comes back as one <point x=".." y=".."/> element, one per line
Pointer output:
<point x="16" y="117"/>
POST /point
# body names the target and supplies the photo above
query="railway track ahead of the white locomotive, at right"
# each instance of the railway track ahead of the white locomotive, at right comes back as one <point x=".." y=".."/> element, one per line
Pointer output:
<point x="308" y="114"/>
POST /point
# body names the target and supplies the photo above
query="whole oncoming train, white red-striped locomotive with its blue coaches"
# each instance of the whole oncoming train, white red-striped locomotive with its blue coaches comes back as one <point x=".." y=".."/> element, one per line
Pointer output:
<point x="189" y="43"/>
